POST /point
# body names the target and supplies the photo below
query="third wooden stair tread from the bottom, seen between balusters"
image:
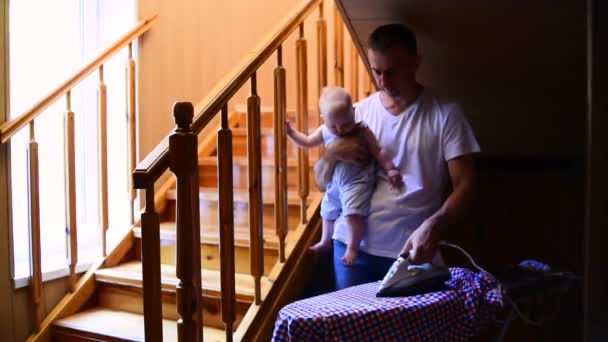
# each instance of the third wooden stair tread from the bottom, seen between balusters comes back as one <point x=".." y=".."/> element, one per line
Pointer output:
<point x="210" y="235"/>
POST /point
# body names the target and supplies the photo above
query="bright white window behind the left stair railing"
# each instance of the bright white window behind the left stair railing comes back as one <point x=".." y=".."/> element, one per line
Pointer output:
<point x="49" y="41"/>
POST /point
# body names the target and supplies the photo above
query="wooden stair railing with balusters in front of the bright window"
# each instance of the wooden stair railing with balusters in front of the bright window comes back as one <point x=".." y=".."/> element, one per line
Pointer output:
<point x="9" y="128"/>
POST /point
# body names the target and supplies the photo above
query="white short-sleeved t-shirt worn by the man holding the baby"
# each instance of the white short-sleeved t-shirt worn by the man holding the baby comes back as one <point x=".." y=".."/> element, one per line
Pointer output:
<point x="421" y="140"/>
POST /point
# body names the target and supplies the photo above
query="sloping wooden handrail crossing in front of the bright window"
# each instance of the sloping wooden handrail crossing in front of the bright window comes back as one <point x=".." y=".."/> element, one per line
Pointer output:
<point x="11" y="127"/>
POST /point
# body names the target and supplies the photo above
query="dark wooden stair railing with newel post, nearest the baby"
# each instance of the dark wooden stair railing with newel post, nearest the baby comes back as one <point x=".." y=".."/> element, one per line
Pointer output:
<point x="166" y="155"/>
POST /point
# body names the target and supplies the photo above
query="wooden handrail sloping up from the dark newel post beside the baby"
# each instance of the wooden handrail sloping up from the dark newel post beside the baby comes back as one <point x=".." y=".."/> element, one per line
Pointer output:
<point x="157" y="161"/>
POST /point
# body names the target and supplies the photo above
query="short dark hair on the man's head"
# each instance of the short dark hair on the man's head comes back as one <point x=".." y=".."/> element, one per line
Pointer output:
<point x="387" y="36"/>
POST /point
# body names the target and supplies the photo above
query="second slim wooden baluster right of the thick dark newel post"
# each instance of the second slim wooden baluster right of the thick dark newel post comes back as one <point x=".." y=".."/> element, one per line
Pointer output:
<point x="256" y="228"/>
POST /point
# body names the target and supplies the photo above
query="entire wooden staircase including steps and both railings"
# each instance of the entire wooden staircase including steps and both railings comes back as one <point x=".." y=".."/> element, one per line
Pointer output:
<point x="107" y="302"/>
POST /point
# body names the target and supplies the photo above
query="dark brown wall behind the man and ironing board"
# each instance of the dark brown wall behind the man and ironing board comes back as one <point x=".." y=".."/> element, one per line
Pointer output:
<point x="519" y="70"/>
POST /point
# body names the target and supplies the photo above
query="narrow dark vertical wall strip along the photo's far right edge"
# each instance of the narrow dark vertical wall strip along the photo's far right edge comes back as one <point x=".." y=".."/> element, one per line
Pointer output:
<point x="596" y="235"/>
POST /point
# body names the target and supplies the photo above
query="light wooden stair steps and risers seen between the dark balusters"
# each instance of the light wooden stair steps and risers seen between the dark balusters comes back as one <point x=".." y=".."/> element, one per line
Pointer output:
<point x="115" y="311"/>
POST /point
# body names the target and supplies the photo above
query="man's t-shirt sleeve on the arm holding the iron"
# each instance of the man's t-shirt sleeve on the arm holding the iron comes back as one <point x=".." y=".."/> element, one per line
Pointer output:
<point x="458" y="136"/>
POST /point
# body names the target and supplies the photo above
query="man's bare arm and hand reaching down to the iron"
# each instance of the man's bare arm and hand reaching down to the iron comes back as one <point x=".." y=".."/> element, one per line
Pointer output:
<point x="422" y="244"/>
